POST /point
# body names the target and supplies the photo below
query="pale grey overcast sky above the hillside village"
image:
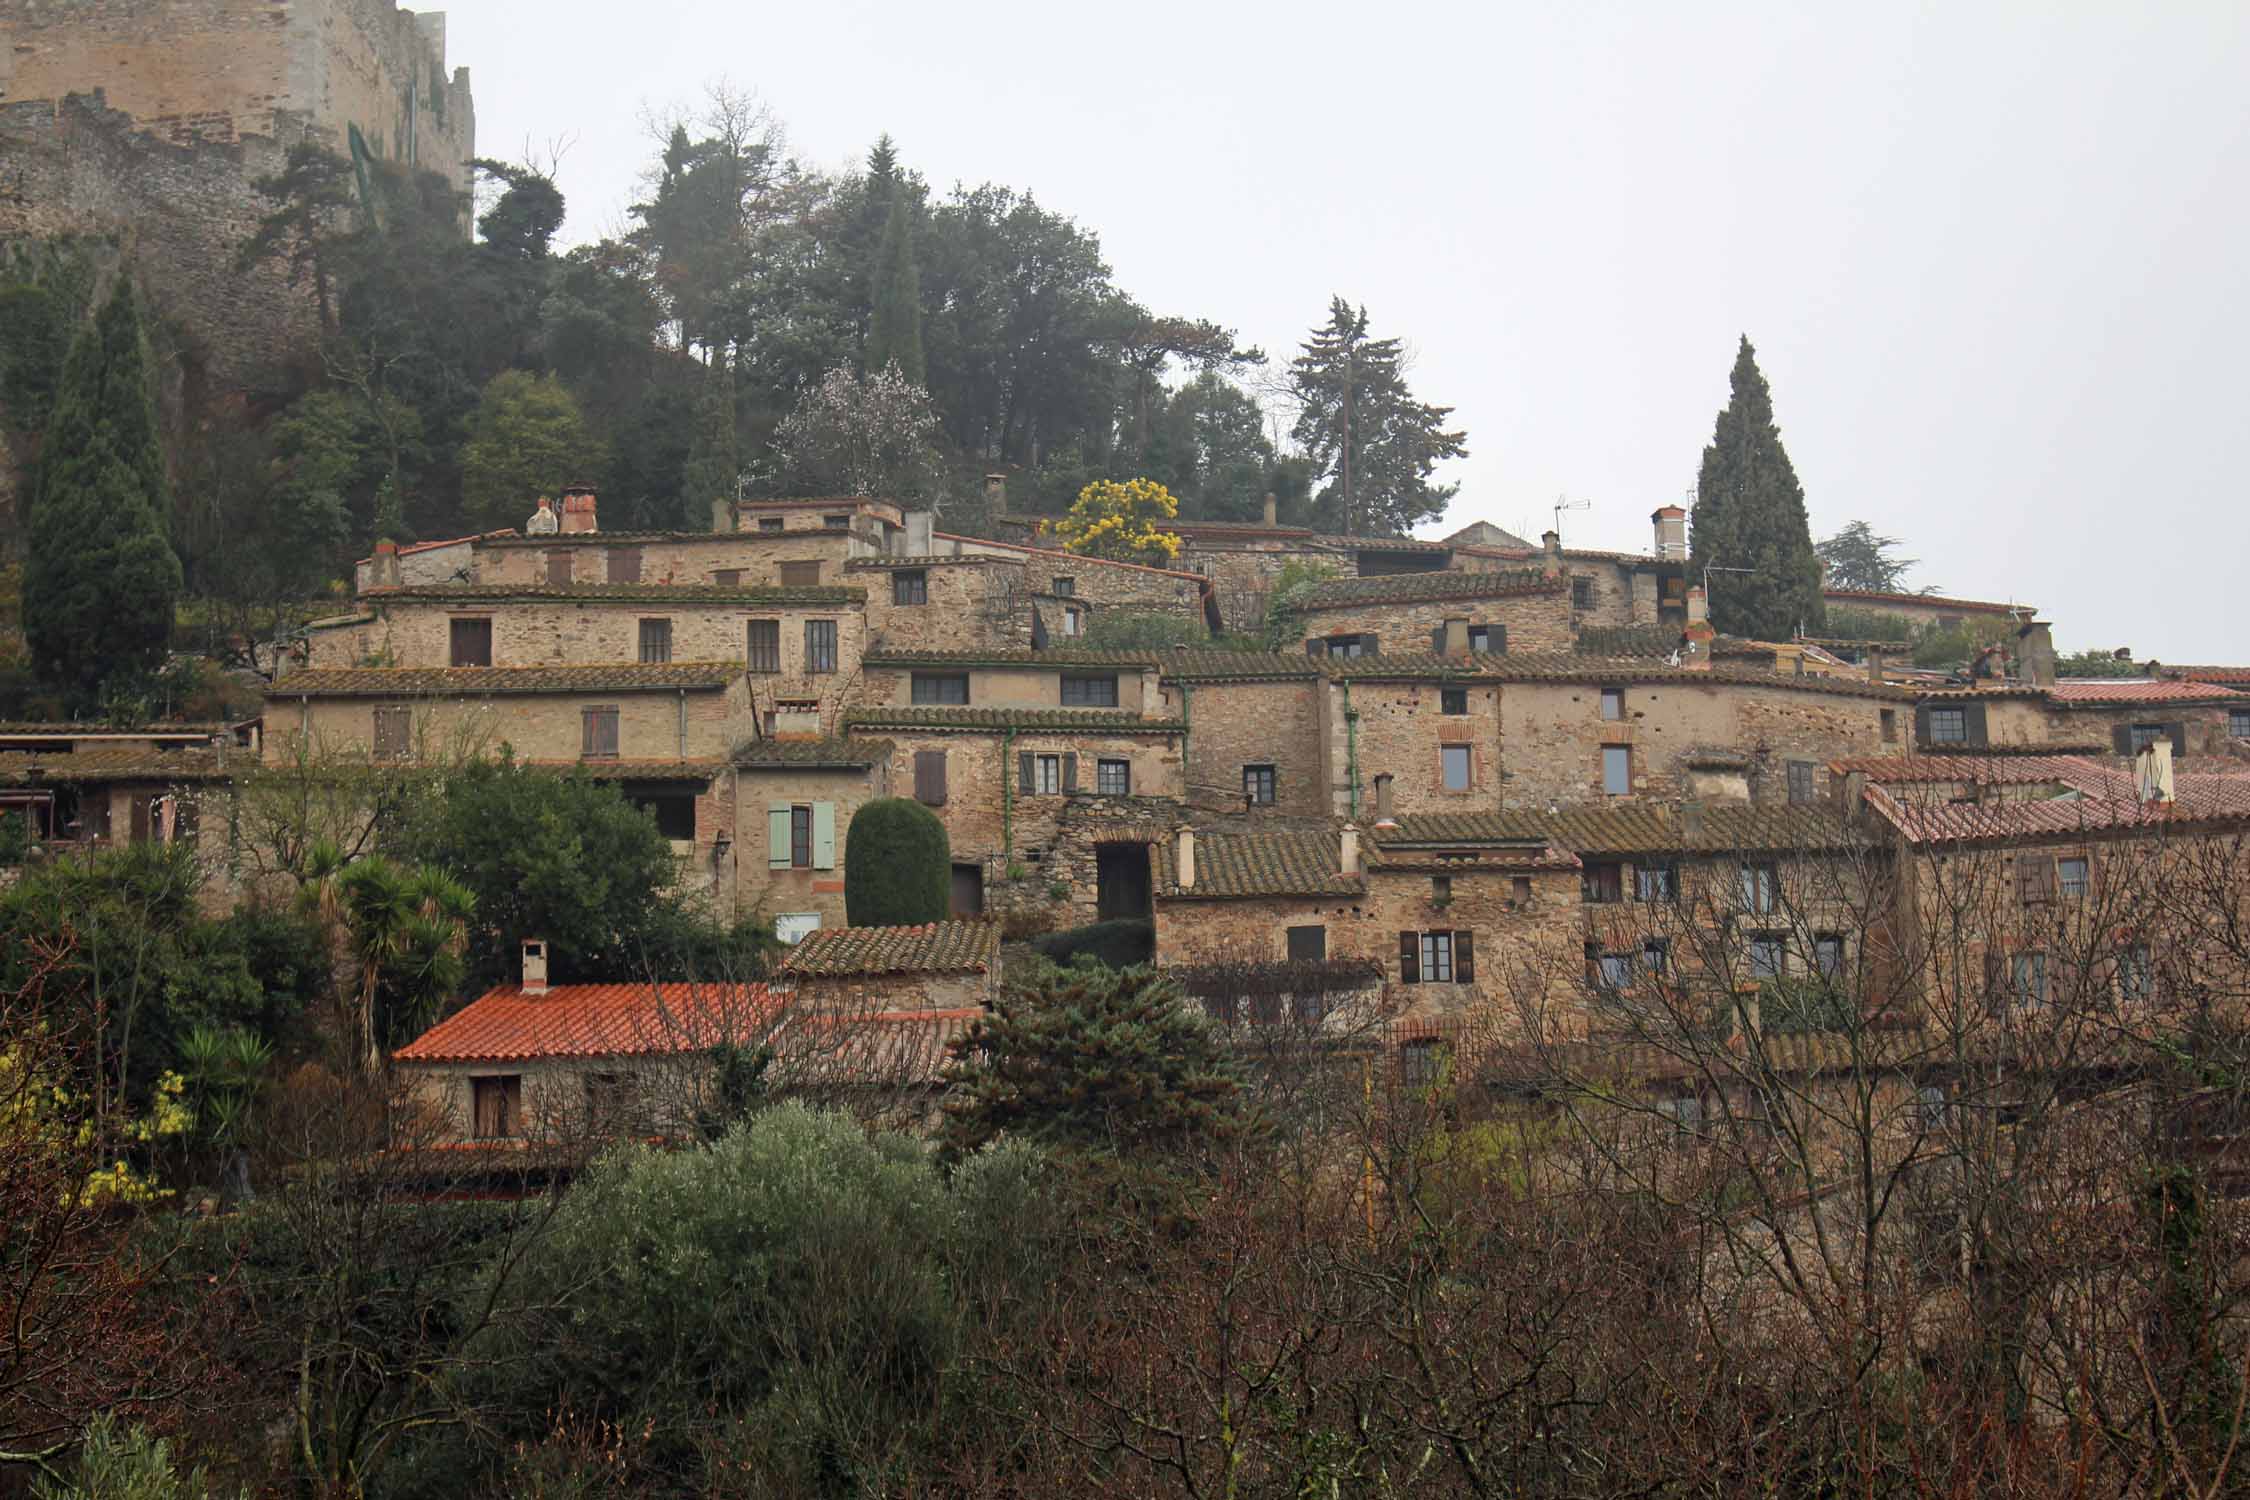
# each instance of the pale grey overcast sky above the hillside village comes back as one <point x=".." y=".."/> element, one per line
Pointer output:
<point x="1992" y="257"/>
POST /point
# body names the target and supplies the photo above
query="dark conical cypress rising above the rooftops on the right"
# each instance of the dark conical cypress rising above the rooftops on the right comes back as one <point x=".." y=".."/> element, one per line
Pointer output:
<point x="1749" y="514"/>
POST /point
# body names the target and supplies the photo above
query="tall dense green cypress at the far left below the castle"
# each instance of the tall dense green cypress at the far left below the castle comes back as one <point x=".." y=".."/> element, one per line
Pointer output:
<point x="100" y="579"/>
